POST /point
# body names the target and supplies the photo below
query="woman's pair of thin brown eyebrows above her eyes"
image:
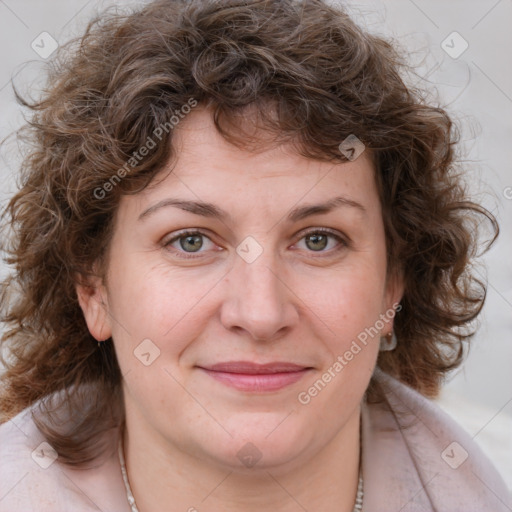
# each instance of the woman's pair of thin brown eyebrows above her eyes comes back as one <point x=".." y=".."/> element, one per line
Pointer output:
<point x="210" y="210"/>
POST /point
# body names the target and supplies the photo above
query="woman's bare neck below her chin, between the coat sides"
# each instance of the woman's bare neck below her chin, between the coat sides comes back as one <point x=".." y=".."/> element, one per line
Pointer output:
<point x="160" y="473"/>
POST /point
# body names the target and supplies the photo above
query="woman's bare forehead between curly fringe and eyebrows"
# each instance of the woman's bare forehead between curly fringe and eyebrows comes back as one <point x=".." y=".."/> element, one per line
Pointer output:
<point x="207" y="168"/>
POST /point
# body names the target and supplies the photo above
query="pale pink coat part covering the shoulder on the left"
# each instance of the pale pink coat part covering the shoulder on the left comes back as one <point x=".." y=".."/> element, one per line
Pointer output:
<point x="33" y="479"/>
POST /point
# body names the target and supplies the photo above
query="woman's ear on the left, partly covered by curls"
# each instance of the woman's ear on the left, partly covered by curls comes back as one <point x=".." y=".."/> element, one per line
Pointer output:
<point x="92" y="298"/>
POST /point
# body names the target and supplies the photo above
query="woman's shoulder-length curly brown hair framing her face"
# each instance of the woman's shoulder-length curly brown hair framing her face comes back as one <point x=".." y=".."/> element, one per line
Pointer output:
<point x="108" y="92"/>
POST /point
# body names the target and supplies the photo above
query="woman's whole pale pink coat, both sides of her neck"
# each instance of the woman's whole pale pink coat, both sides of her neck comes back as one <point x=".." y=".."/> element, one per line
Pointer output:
<point x="415" y="458"/>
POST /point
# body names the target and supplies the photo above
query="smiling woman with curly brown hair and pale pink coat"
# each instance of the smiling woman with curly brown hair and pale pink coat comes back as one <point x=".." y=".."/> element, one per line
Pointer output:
<point x="241" y="255"/>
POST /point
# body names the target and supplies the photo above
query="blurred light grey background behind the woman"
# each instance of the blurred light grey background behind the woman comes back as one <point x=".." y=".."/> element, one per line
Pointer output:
<point x="461" y="54"/>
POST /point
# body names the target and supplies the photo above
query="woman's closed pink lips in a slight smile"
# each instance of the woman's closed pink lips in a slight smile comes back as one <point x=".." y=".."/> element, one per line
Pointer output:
<point x="248" y="376"/>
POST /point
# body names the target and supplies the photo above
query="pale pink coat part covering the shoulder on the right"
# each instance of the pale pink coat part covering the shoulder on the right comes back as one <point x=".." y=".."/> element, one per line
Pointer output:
<point x="416" y="449"/>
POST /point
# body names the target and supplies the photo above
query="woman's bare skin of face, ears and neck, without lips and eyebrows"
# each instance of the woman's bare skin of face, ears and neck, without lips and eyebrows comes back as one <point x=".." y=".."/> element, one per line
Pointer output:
<point x="299" y="301"/>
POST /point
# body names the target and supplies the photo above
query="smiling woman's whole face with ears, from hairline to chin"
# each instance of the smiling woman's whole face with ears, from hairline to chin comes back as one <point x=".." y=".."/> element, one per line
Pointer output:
<point x="199" y="297"/>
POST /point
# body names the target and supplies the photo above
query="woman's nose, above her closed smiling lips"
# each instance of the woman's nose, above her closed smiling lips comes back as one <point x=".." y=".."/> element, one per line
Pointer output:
<point x="259" y="300"/>
